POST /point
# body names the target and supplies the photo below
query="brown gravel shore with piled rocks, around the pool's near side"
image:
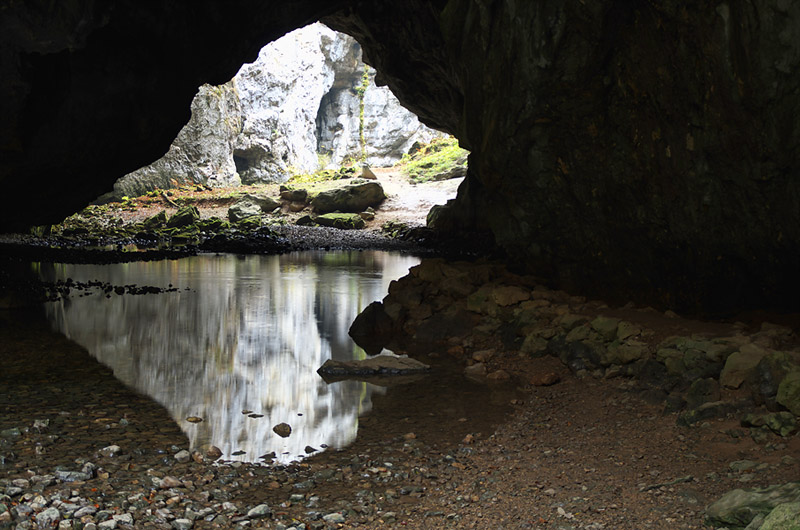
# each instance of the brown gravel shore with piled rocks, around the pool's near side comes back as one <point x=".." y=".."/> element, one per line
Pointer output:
<point x="622" y="418"/>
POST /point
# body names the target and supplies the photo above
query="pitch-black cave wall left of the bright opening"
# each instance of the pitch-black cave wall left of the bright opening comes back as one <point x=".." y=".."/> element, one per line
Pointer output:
<point x="92" y="90"/>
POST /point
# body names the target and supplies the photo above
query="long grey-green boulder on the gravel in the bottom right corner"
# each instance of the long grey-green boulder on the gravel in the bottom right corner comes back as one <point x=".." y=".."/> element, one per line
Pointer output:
<point x="737" y="508"/>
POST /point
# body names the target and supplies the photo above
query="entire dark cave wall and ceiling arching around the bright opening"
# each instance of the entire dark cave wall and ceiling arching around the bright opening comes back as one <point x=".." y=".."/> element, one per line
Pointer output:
<point x="644" y="150"/>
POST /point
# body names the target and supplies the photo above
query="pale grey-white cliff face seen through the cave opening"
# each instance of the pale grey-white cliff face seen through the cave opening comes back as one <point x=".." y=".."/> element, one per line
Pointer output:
<point x="299" y="98"/>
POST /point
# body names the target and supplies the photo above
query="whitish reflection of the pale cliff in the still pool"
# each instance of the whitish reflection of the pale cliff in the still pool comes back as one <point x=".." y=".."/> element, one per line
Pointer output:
<point x="242" y="333"/>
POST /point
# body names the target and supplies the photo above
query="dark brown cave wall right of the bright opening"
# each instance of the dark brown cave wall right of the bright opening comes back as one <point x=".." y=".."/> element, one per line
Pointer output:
<point x="644" y="151"/>
